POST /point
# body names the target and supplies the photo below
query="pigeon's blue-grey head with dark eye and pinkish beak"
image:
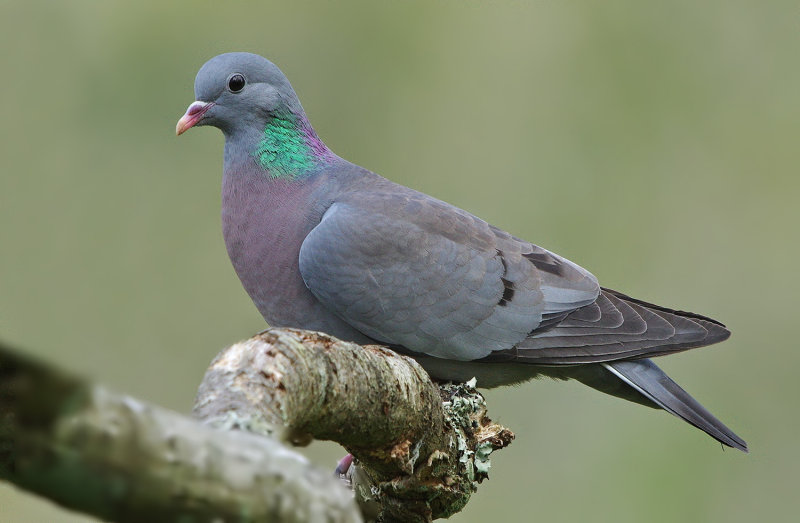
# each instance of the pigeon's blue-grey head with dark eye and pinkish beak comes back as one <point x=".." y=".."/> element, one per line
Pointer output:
<point x="237" y="91"/>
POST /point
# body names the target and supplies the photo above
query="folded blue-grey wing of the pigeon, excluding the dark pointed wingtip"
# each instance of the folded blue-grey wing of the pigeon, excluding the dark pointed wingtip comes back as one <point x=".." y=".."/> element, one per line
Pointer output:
<point x="410" y="270"/>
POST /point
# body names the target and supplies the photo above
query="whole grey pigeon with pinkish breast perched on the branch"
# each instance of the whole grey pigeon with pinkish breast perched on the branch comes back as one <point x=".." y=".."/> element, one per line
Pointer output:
<point x="320" y="243"/>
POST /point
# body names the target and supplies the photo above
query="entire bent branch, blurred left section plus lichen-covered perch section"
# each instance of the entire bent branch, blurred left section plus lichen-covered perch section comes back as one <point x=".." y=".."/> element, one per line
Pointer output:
<point x="420" y="449"/>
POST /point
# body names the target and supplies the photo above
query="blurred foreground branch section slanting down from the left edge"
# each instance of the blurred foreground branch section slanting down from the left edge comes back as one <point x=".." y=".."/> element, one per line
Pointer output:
<point x="120" y="459"/>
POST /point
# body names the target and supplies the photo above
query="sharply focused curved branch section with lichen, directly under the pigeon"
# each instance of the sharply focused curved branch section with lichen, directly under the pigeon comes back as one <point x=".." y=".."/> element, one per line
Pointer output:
<point x="421" y="449"/>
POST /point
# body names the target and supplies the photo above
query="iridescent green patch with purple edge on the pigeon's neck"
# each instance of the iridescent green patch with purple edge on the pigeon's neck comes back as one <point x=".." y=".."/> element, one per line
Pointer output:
<point x="289" y="148"/>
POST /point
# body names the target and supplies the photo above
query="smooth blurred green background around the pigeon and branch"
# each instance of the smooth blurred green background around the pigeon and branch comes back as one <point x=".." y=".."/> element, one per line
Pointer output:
<point x="655" y="144"/>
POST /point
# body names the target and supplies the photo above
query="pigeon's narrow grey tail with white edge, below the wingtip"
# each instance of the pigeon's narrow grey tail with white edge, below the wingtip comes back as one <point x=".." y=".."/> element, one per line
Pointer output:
<point x="653" y="383"/>
